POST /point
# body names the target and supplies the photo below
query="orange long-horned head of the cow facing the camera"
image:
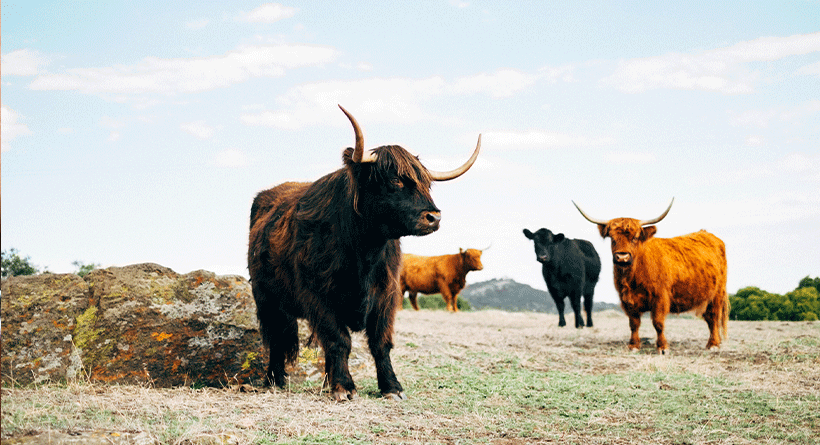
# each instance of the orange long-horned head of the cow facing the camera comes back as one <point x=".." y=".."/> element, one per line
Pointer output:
<point x="627" y="234"/>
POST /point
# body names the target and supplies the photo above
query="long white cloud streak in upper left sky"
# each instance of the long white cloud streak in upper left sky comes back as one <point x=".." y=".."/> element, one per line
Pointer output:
<point x="187" y="75"/>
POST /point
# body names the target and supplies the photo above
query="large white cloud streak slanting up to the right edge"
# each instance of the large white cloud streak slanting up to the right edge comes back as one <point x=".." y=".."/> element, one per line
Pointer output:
<point x="721" y="70"/>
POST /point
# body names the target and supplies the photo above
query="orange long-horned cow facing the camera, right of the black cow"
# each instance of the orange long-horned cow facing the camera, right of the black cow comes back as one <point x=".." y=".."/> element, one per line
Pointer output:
<point x="663" y="275"/>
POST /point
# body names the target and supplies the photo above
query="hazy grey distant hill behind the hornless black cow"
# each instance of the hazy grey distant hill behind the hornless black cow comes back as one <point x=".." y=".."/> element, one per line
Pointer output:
<point x="508" y="295"/>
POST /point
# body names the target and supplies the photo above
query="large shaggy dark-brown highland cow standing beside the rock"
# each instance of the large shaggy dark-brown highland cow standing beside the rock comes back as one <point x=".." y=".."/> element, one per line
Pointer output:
<point x="328" y="251"/>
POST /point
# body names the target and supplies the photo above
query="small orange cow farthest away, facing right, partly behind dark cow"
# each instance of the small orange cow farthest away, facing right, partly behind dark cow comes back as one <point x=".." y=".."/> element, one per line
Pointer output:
<point x="445" y="274"/>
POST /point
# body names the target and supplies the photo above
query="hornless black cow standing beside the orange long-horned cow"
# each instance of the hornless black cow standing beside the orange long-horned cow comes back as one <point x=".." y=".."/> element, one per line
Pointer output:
<point x="571" y="268"/>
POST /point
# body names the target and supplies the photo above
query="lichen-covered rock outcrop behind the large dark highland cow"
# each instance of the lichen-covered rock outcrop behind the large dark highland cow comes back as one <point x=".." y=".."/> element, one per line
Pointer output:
<point x="139" y="324"/>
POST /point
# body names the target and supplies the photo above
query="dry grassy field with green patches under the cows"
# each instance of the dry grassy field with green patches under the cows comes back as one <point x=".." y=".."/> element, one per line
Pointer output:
<point x="484" y="377"/>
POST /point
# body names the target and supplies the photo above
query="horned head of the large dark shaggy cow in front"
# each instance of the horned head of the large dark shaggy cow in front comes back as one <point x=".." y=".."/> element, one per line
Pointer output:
<point x="391" y="188"/>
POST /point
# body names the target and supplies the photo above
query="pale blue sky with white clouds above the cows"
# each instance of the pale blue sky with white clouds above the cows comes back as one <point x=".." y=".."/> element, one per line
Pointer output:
<point x="141" y="131"/>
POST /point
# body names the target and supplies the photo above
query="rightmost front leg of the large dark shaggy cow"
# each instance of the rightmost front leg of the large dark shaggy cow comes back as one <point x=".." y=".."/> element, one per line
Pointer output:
<point x="380" y="340"/>
